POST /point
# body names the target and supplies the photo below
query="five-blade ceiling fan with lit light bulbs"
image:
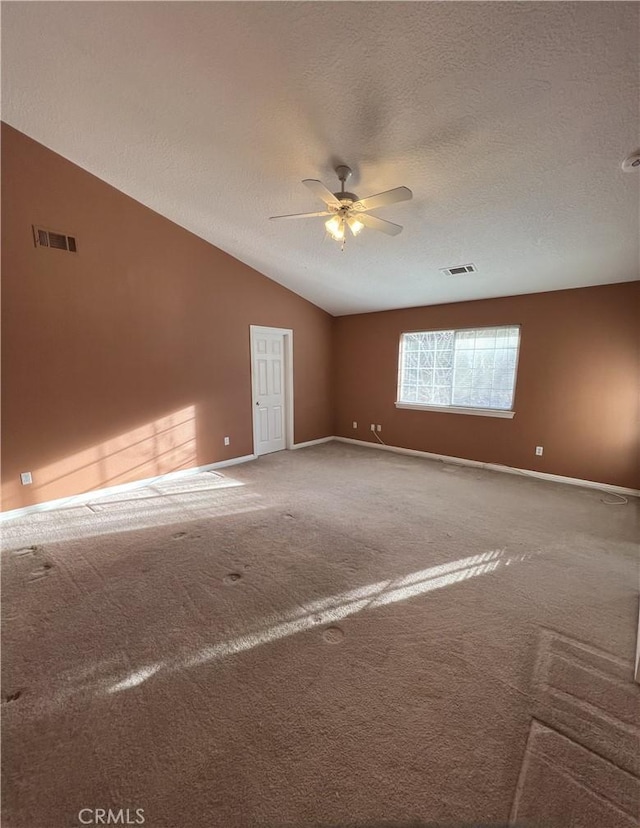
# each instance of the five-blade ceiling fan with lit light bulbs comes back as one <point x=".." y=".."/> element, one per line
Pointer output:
<point x="347" y="210"/>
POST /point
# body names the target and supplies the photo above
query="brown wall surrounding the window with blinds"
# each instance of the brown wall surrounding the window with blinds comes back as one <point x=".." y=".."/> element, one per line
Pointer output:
<point x="576" y="393"/>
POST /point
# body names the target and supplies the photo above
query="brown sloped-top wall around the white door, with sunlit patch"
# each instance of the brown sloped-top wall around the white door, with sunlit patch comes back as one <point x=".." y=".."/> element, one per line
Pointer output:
<point x="131" y="358"/>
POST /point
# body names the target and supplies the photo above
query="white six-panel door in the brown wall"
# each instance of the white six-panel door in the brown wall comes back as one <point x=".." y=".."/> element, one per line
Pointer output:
<point x="268" y="377"/>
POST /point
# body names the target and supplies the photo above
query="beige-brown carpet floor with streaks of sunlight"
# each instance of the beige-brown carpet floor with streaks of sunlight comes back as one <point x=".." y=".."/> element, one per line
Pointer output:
<point x="329" y="637"/>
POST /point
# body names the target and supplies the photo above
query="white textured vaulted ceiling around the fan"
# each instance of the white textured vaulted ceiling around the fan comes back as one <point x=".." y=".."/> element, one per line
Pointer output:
<point x="509" y="121"/>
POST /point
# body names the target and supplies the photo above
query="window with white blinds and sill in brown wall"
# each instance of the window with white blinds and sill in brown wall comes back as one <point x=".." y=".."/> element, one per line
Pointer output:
<point x="471" y="371"/>
